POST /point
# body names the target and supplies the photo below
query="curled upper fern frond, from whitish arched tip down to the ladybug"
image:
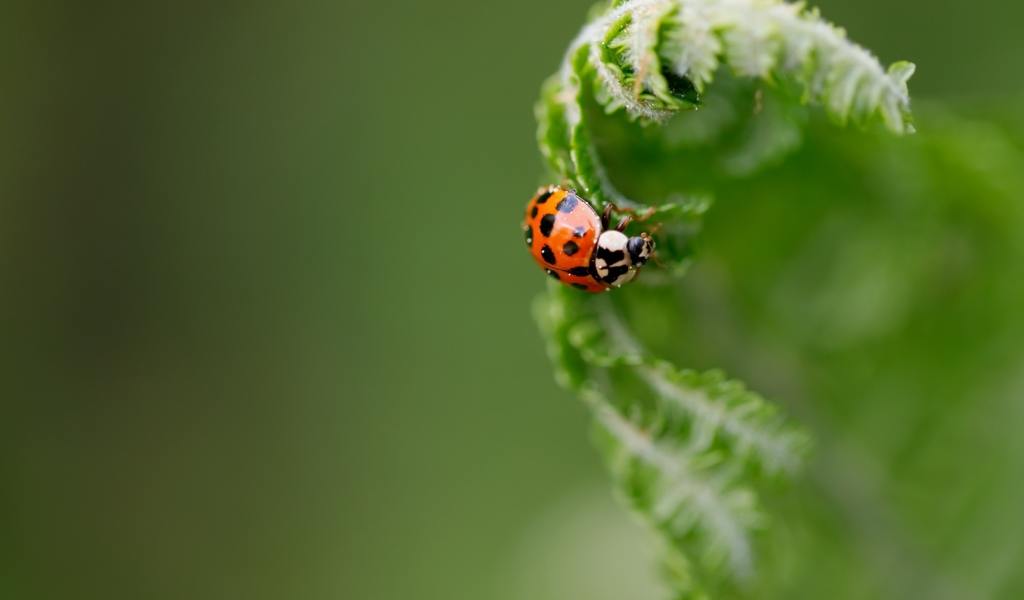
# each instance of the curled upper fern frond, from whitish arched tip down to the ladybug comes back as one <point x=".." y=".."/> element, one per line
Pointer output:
<point x="654" y="58"/>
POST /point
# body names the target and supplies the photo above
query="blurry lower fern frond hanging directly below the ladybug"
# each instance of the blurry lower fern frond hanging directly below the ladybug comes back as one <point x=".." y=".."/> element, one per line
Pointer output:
<point x="680" y="450"/>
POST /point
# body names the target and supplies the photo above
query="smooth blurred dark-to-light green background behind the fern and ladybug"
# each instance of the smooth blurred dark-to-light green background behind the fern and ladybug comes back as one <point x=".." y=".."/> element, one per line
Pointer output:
<point x="265" y="310"/>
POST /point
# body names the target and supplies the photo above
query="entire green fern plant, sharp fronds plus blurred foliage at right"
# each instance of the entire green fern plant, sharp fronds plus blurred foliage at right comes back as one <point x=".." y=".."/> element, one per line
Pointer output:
<point x="869" y="281"/>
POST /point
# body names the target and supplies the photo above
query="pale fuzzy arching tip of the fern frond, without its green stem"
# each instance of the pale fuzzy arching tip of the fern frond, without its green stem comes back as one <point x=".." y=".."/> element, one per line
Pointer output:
<point x="755" y="38"/>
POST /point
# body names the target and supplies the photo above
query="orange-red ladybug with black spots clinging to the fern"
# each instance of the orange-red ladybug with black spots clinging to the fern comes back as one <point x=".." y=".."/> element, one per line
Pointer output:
<point x="573" y="244"/>
